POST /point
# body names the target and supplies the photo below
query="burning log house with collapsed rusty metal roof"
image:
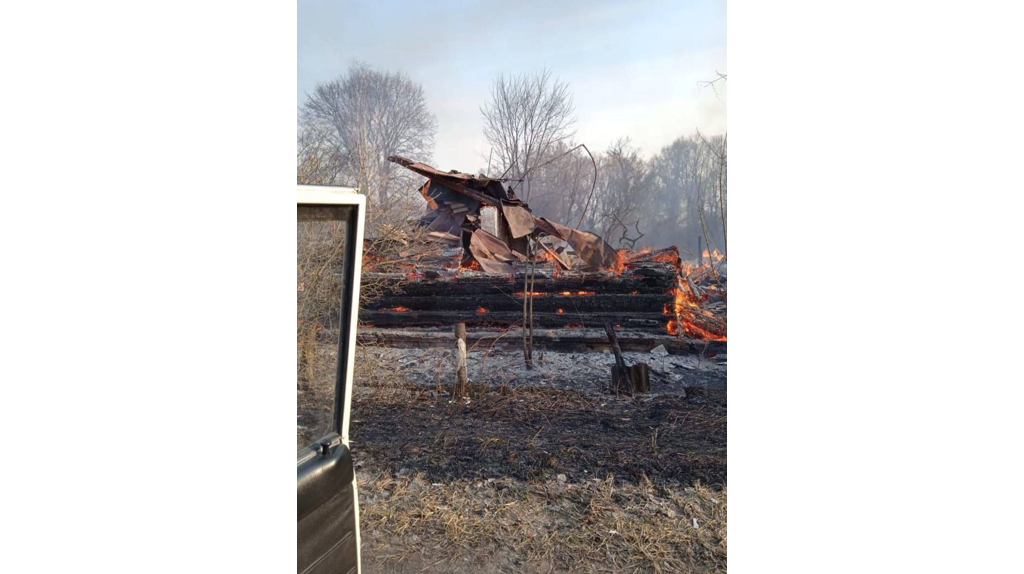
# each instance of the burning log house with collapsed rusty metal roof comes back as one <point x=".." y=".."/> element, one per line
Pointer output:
<point x="571" y="279"/>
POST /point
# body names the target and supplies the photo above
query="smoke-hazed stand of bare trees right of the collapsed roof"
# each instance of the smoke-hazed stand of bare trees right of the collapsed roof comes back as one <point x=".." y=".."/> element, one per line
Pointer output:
<point x="676" y="198"/>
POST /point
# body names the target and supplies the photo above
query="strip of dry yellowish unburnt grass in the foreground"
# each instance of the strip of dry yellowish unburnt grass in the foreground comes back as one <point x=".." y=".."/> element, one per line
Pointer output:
<point x="506" y="525"/>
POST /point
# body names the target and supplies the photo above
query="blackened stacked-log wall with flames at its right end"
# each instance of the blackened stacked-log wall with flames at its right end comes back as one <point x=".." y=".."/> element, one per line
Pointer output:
<point x="643" y="296"/>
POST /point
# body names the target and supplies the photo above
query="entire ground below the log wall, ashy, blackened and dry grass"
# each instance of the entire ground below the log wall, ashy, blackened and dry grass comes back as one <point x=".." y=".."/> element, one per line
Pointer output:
<point x="540" y="470"/>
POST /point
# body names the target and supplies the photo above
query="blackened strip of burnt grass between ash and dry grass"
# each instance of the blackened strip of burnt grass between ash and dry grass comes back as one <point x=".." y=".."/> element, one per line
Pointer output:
<point x="538" y="433"/>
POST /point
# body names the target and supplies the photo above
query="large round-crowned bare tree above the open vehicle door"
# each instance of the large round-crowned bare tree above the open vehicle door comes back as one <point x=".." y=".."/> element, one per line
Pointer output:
<point x="360" y="120"/>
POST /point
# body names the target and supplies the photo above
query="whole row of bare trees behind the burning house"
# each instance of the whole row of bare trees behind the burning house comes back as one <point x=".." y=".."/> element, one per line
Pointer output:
<point x="350" y="126"/>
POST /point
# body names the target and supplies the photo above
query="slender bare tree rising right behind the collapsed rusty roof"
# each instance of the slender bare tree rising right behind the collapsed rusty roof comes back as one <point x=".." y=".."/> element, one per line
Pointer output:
<point x="528" y="115"/>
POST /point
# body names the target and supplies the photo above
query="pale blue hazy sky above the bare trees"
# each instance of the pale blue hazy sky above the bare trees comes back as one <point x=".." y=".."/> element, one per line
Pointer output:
<point x="634" y="68"/>
